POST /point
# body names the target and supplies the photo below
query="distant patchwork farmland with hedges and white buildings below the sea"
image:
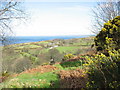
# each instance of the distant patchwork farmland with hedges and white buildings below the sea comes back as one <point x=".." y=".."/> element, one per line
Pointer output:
<point x="37" y="53"/>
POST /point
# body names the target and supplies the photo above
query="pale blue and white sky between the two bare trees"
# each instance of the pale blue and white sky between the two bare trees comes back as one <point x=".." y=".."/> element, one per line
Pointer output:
<point x="56" y="17"/>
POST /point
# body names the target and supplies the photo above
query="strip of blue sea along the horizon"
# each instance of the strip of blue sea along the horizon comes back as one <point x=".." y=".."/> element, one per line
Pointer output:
<point x="26" y="39"/>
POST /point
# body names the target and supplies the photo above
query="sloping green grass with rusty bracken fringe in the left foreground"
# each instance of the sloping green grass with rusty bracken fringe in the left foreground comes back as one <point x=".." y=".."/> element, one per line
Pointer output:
<point x="39" y="77"/>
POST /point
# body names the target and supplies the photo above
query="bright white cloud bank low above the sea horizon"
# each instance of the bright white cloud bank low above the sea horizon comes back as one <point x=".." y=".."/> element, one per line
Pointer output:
<point x="55" y="24"/>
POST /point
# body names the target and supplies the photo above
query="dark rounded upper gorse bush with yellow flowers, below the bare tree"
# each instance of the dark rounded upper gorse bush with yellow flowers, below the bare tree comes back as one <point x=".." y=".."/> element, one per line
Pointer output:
<point x="110" y="31"/>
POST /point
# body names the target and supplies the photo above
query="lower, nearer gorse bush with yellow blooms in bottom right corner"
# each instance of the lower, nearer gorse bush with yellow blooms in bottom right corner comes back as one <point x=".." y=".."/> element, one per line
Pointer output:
<point x="103" y="71"/>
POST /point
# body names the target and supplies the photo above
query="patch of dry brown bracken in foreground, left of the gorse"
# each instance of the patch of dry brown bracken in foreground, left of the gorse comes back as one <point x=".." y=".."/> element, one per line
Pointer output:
<point x="72" y="78"/>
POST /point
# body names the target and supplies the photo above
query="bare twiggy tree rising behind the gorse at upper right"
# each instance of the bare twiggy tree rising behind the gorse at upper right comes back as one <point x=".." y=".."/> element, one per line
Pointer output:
<point x="104" y="11"/>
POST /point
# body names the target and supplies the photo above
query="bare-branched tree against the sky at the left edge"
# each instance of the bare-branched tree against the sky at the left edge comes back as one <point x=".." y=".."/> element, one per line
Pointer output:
<point x="10" y="10"/>
